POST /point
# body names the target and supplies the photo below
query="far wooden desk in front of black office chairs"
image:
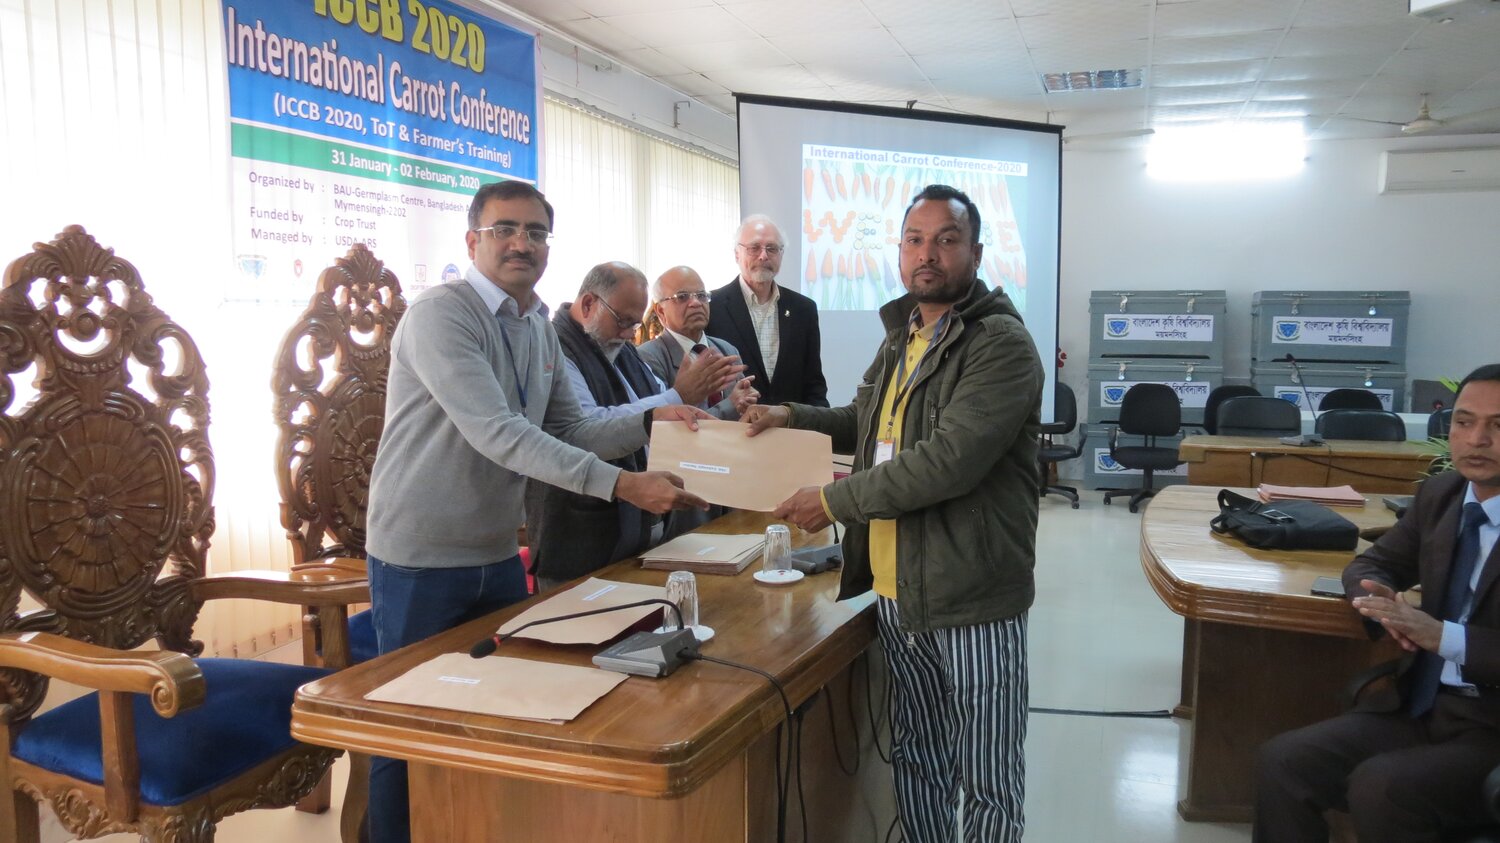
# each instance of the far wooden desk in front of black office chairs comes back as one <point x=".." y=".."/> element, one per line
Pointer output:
<point x="1252" y="461"/>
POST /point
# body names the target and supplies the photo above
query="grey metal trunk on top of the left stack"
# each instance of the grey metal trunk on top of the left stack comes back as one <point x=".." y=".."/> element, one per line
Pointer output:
<point x="1157" y="323"/>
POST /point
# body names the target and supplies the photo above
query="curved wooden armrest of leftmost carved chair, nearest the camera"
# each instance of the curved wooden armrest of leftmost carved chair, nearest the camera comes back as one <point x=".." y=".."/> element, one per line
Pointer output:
<point x="173" y="680"/>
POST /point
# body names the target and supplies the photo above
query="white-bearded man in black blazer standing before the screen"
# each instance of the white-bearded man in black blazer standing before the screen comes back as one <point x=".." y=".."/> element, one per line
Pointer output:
<point x="775" y="328"/>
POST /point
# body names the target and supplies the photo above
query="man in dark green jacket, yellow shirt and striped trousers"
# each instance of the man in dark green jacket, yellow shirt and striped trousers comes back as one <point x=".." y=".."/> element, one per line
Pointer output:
<point x="943" y="523"/>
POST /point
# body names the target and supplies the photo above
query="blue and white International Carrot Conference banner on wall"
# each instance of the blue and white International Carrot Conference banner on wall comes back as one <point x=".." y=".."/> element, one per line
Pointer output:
<point x="370" y="122"/>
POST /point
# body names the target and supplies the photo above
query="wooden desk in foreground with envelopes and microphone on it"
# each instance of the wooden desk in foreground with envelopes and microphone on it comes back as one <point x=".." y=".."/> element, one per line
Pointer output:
<point x="688" y="758"/>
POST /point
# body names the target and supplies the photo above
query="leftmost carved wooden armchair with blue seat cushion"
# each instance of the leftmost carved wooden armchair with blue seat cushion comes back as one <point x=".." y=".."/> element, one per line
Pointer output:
<point x="107" y="482"/>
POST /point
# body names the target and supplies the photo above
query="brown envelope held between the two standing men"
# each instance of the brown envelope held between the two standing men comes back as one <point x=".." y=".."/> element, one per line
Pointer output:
<point x="725" y="467"/>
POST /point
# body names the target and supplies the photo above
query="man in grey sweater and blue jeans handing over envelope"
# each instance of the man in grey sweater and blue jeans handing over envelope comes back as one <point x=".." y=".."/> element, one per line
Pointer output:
<point x="476" y="404"/>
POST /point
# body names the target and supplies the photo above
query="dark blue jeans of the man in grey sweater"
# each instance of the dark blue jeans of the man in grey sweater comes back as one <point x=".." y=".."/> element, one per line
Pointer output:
<point x="410" y="605"/>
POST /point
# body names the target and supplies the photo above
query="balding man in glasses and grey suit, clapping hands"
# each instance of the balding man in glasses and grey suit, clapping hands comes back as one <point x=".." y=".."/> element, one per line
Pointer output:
<point x="683" y="308"/>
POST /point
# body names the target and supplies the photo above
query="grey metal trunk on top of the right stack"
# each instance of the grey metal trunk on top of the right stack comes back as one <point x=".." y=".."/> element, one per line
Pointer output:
<point x="1351" y="326"/>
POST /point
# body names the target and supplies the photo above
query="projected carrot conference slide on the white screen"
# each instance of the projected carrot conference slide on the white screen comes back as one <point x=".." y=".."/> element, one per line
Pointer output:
<point x="853" y="206"/>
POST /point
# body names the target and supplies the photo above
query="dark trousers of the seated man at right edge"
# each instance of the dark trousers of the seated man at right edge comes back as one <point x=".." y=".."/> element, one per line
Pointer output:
<point x="1402" y="779"/>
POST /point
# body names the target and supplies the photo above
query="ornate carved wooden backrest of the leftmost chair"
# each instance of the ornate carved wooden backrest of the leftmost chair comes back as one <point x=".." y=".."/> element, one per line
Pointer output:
<point x="107" y="475"/>
